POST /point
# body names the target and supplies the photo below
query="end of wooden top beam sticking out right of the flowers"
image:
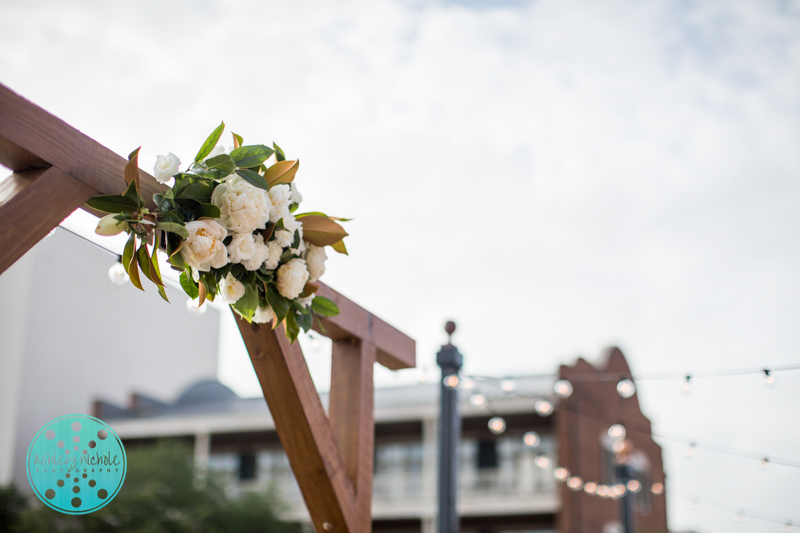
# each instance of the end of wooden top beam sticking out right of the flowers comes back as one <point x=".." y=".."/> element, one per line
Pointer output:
<point x="395" y="349"/>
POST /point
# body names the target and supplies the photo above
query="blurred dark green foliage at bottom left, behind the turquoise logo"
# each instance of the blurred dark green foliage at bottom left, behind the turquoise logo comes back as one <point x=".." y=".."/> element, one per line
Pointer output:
<point x="161" y="494"/>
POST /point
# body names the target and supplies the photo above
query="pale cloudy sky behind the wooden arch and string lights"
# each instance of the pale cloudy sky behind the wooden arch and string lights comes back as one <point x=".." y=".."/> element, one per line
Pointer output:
<point x="555" y="176"/>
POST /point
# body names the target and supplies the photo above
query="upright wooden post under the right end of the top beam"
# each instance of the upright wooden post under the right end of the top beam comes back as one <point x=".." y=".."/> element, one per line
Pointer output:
<point x="352" y="418"/>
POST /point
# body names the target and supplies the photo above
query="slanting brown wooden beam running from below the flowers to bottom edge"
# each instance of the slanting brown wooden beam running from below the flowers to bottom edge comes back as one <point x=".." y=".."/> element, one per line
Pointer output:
<point x="302" y="426"/>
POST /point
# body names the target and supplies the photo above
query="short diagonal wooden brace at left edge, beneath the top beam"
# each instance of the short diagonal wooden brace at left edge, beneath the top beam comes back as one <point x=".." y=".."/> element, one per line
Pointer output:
<point x="32" y="203"/>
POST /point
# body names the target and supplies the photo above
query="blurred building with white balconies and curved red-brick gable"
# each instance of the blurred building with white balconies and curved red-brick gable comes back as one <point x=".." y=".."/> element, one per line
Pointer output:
<point x="509" y="480"/>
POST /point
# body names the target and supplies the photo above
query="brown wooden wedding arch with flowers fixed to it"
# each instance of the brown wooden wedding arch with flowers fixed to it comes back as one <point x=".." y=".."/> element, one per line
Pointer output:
<point x="56" y="169"/>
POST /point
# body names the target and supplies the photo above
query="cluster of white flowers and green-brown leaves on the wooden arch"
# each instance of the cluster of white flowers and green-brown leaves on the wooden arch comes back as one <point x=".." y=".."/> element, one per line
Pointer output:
<point x="228" y="223"/>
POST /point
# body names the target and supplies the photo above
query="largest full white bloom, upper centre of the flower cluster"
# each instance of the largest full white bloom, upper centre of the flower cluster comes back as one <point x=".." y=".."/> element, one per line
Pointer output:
<point x="243" y="208"/>
